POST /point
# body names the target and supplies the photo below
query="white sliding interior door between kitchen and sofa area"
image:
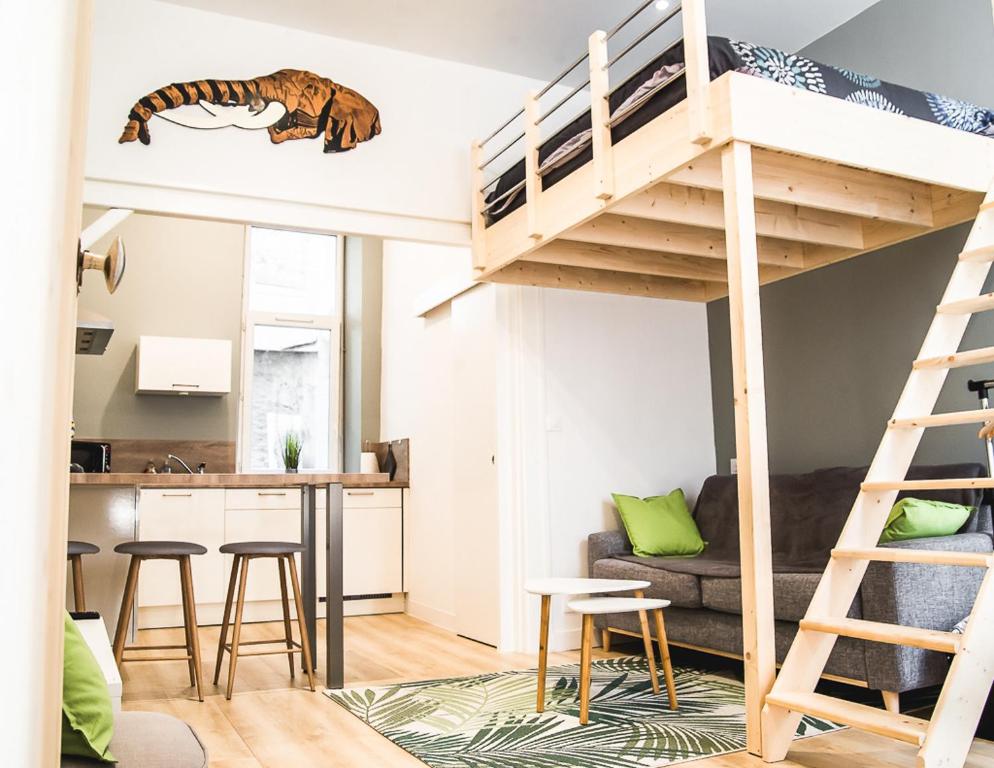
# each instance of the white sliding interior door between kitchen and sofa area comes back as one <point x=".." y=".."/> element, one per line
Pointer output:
<point x="477" y="600"/>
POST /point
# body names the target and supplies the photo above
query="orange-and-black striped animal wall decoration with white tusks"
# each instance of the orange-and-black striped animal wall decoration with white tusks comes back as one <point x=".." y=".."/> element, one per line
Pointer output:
<point x="290" y="104"/>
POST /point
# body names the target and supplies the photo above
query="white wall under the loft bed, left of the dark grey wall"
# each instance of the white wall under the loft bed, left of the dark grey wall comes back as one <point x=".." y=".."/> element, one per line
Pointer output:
<point x="621" y="402"/>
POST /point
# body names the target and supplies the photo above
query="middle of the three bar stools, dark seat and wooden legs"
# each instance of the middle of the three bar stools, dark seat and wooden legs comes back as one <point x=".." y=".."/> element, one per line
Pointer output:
<point x="162" y="550"/>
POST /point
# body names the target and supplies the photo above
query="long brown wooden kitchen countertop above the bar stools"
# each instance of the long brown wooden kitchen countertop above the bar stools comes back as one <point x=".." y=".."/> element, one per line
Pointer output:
<point x="234" y="480"/>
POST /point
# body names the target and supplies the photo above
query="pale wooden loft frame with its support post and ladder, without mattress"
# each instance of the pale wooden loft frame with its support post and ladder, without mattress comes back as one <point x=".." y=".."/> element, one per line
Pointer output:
<point x="743" y="183"/>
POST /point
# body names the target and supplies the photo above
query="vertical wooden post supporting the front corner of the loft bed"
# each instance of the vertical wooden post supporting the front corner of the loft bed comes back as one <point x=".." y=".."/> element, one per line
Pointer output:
<point x="749" y="391"/>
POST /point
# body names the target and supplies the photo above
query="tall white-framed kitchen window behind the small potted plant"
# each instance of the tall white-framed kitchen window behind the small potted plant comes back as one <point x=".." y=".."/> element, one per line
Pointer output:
<point x="291" y="348"/>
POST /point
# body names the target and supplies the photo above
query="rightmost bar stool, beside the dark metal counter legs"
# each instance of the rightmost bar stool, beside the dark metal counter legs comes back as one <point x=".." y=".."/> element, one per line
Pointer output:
<point x="243" y="552"/>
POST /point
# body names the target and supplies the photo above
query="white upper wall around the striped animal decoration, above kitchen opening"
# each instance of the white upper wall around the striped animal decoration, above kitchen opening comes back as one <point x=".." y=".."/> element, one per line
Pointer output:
<point x="418" y="167"/>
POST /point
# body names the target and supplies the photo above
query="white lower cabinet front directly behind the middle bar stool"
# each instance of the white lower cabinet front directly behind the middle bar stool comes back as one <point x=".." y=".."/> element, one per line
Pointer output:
<point x="182" y="515"/>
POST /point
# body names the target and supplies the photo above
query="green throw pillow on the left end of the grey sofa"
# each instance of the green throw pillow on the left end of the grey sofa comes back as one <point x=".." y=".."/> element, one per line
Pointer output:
<point x="660" y="525"/>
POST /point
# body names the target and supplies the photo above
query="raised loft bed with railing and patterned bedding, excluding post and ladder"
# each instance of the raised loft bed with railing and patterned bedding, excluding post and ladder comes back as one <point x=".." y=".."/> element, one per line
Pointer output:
<point x="636" y="207"/>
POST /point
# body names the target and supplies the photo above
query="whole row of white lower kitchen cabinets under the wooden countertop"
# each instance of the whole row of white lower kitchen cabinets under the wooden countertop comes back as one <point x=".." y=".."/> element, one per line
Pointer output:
<point x="372" y="552"/>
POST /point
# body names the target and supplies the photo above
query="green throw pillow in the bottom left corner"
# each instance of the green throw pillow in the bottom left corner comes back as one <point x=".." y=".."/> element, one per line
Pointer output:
<point x="87" y="716"/>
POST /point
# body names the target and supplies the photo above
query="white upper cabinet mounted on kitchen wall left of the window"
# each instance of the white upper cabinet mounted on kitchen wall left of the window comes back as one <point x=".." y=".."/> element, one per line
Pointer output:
<point x="167" y="365"/>
